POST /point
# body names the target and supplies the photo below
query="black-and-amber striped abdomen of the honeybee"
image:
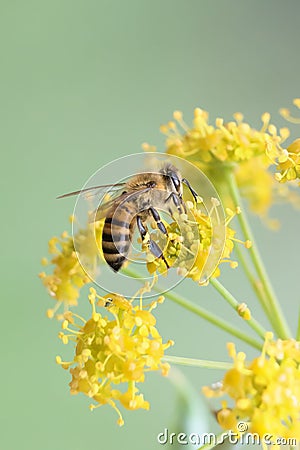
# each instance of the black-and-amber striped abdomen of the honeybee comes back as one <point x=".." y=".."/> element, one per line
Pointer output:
<point x="116" y="236"/>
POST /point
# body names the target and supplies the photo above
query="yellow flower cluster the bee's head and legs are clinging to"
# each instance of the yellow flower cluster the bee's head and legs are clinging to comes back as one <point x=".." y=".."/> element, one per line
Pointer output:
<point x="193" y="242"/>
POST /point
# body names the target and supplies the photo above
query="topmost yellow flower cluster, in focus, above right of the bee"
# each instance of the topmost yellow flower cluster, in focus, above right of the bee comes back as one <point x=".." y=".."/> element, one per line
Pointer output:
<point x="233" y="142"/>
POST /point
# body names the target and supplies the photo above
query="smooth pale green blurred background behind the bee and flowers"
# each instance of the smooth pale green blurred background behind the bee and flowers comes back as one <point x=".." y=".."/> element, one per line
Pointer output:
<point x="82" y="83"/>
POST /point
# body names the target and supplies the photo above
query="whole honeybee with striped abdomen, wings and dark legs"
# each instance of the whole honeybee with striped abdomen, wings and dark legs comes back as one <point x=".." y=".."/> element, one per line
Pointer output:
<point x="137" y="201"/>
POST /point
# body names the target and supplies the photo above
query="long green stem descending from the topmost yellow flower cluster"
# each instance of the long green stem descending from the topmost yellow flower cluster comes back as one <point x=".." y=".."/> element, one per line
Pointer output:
<point x="275" y="313"/>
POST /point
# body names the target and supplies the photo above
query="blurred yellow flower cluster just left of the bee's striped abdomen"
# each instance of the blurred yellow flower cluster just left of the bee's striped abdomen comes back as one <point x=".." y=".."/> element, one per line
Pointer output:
<point x="68" y="276"/>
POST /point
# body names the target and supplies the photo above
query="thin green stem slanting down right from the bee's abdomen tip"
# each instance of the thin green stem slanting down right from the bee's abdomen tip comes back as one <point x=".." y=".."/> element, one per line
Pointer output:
<point x="196" y="309"/>
